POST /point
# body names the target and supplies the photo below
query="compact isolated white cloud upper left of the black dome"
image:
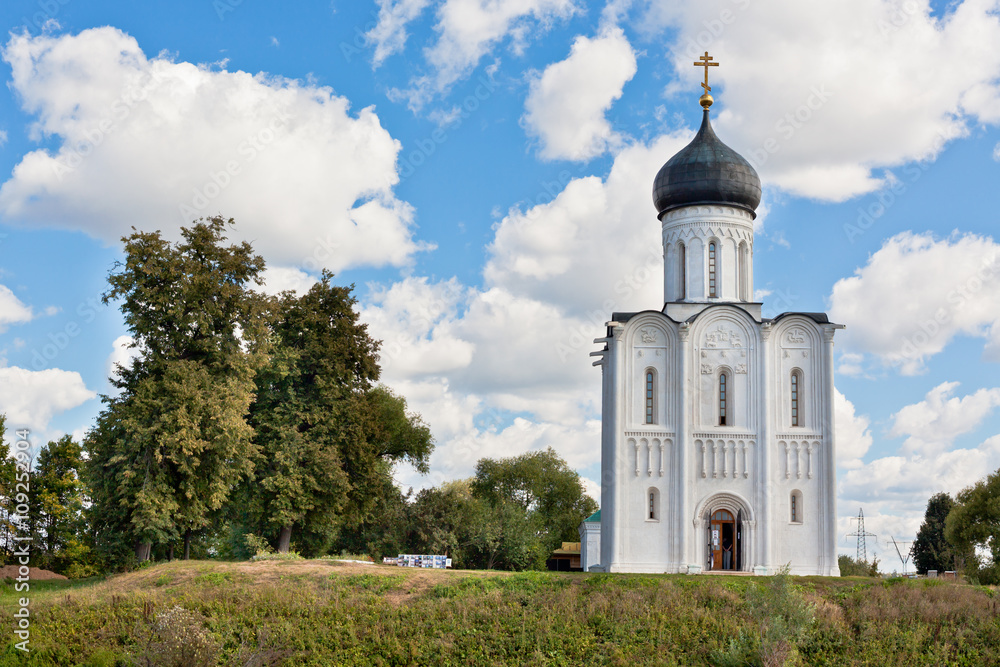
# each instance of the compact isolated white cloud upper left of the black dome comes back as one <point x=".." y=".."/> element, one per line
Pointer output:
<point x="567" y="103"/>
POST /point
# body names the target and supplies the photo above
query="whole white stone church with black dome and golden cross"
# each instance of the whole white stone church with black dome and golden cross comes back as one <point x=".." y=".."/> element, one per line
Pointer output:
<point x="717" y="445"/>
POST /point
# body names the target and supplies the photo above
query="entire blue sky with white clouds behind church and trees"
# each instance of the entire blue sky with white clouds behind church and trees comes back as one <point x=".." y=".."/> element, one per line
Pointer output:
<point x="481" y="171"/>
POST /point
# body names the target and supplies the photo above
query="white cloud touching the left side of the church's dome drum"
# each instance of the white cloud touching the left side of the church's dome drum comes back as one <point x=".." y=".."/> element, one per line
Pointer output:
<point x="593" y="247"/>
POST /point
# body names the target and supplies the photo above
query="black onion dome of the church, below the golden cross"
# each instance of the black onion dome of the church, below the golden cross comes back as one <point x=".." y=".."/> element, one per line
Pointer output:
<point x="706" y="171"/>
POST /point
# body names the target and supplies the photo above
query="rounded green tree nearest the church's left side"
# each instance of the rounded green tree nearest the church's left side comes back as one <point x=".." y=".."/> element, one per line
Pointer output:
<point x="536" y="501"/>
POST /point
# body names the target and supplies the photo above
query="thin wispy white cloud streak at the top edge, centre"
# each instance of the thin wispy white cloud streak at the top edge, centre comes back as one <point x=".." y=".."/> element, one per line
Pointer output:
<point x="469" y="29"/>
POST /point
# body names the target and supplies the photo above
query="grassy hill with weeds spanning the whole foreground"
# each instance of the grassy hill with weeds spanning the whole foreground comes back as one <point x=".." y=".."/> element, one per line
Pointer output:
<point x="331" y="613"/>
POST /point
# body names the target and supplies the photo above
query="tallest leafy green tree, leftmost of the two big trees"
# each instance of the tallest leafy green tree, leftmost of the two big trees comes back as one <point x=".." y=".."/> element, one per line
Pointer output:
<point x="176" y="438"/>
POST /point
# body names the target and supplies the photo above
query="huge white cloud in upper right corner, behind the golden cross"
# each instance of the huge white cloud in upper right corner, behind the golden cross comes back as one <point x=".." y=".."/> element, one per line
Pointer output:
<point x="862" y="85"/>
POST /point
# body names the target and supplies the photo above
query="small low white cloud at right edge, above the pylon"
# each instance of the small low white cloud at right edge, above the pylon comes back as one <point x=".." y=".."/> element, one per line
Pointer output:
<point x="932" y="425"/>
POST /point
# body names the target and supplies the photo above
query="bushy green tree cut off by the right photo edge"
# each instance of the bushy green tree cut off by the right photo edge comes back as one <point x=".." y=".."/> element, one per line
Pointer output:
<point x="973" y="529"/>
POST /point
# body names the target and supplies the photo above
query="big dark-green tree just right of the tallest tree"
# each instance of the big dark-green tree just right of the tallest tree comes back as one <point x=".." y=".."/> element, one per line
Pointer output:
<point x="327" y="438"/>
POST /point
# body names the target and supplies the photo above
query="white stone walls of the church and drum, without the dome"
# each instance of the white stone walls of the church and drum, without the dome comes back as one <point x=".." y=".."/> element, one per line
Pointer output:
<point x="692" y="464"/>
